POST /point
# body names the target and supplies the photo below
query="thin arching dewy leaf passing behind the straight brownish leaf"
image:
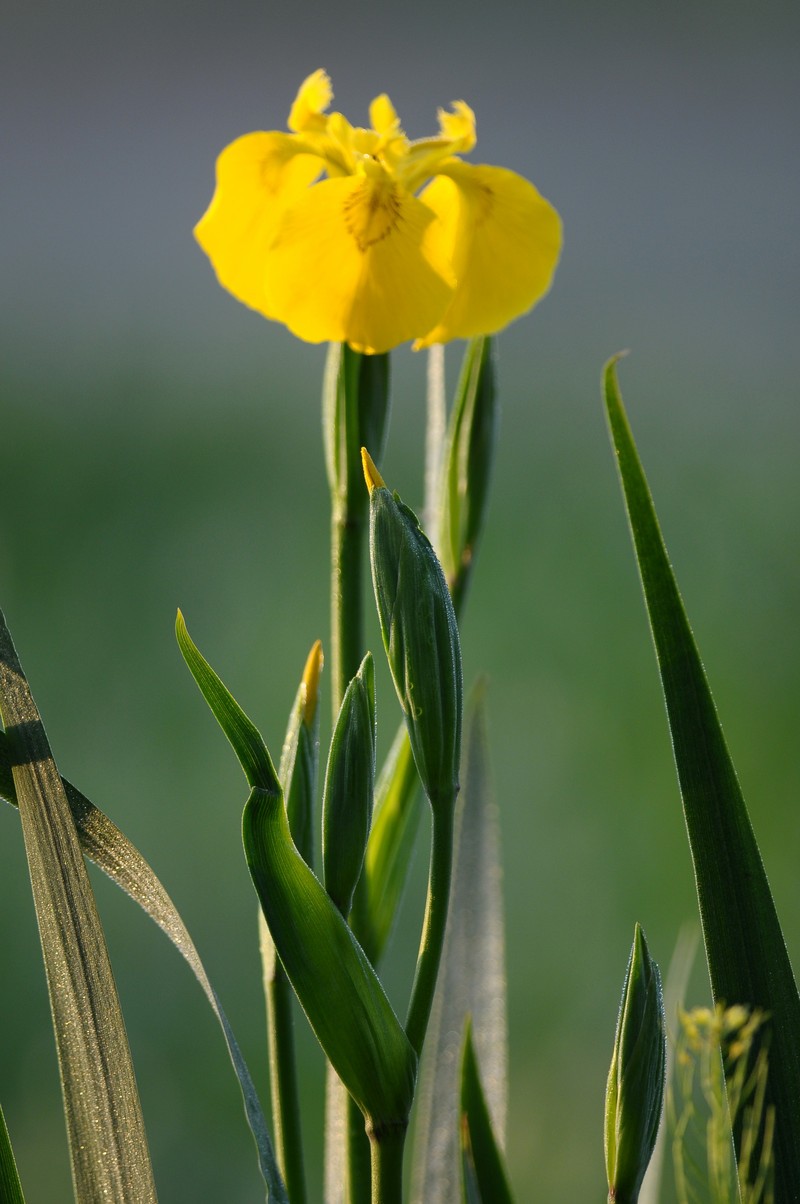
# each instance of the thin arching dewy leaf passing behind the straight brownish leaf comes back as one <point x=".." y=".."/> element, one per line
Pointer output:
<point x="111" y="851"/>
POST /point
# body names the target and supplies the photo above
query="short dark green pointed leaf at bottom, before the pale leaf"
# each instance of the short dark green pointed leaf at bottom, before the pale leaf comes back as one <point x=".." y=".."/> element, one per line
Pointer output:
<point x="485" y="1175"/>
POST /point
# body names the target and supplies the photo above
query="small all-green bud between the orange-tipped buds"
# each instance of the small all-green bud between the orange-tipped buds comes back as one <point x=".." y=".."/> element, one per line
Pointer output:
<point x="350" y="784"/>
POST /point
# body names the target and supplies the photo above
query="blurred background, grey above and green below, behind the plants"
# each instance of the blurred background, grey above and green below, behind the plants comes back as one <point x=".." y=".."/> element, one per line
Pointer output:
<point x="160" y="447"/>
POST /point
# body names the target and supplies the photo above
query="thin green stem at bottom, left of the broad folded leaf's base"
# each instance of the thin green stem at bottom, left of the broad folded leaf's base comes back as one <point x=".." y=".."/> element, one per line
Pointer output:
<point x="284" y="1083"/>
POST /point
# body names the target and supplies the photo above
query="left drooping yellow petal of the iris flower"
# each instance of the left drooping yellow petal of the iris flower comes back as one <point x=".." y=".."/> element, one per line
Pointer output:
<point x="257" y="178"/>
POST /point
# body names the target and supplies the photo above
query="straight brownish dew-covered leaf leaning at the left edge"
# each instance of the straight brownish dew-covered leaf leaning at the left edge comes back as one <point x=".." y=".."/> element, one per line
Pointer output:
<point x="104" y="1120"/>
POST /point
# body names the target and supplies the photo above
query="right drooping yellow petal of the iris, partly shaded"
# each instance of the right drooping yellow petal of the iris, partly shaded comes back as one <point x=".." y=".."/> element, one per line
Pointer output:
<point x="503" y="240"/>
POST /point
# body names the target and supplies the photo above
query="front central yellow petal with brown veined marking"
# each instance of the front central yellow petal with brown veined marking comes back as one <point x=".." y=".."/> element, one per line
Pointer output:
<point x="354" y="262"/>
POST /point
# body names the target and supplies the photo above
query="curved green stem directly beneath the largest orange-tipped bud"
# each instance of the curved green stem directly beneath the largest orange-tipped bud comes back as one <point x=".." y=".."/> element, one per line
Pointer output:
<point x="433" y="934"/>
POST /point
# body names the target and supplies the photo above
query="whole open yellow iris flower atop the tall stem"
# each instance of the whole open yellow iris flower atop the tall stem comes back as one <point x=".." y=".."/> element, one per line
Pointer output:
<point x="368" y="255"/>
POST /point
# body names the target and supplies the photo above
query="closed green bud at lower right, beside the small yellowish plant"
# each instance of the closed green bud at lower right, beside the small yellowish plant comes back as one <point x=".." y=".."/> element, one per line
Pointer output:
<point x="636" y="1088"/>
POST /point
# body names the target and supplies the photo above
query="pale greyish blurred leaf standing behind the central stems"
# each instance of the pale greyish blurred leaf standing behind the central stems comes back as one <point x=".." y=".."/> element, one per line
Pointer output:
<point x="473" y="981"/>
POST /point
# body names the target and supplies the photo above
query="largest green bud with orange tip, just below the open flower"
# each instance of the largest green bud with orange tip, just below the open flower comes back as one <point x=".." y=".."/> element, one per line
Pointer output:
<point x="420" y="636"/>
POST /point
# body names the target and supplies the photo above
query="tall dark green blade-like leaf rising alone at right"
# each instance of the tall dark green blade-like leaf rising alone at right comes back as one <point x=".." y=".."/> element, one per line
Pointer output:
<point x="748" y="957"/>
